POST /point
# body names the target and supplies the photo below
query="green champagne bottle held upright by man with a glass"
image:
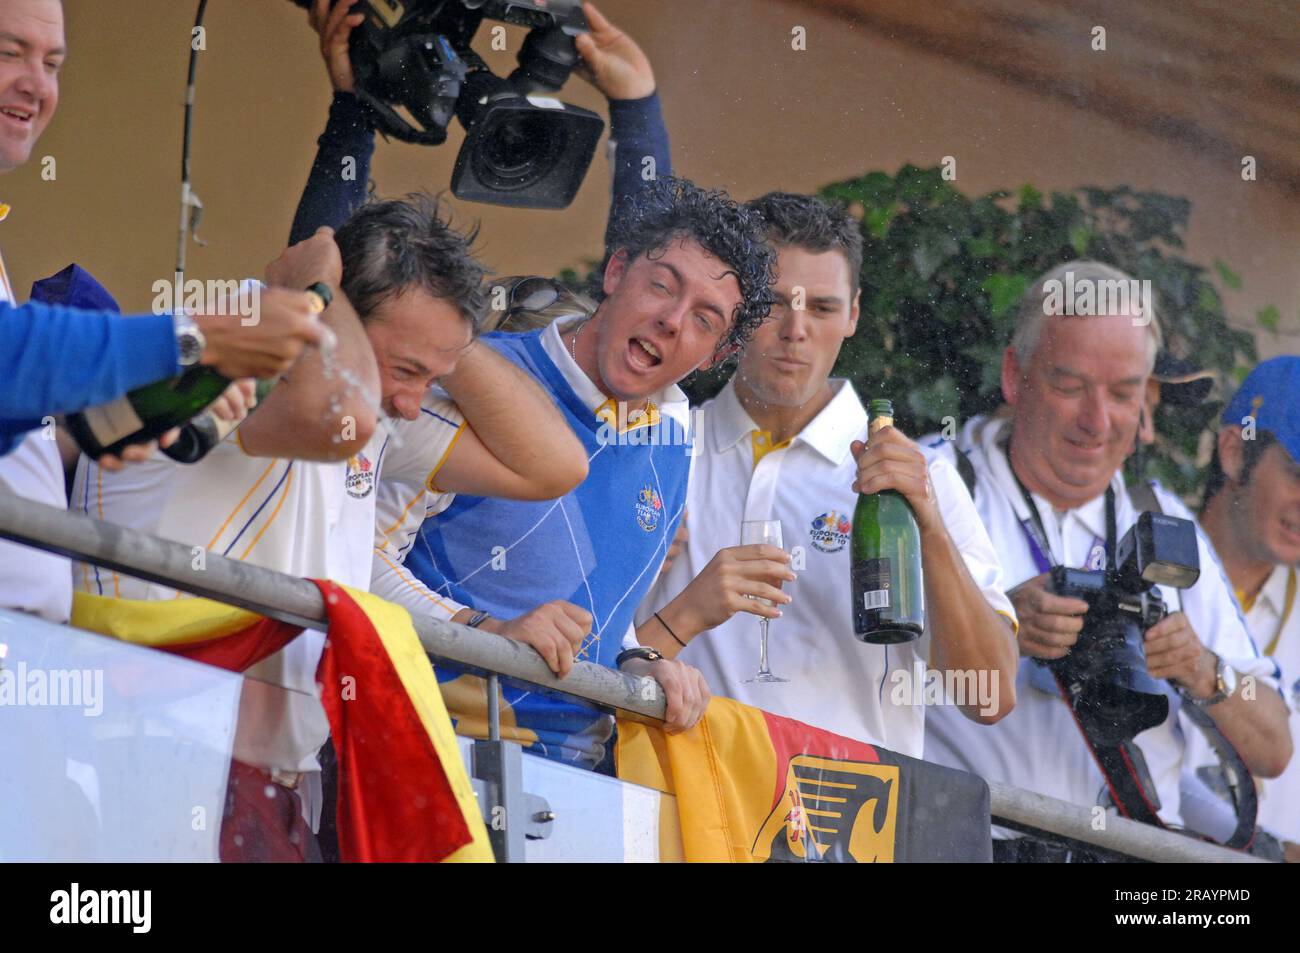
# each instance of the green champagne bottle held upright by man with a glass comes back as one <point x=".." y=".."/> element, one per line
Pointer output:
<point x="889" y="594"/>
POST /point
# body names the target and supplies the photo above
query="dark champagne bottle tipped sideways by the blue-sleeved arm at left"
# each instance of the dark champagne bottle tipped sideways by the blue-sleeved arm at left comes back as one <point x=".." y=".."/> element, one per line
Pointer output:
<point x="149" y="413"/>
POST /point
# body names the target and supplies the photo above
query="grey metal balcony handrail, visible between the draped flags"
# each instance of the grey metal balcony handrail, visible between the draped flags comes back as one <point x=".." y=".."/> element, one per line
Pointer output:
<point x="300" y="603"/>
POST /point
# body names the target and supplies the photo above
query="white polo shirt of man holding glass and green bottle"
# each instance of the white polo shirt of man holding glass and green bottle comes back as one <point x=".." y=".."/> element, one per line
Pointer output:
<point x="835" y="682"/>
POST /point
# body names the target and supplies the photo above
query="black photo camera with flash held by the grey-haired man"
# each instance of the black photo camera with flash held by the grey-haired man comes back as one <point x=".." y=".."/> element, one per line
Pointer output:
<point x="1106" y="673"/>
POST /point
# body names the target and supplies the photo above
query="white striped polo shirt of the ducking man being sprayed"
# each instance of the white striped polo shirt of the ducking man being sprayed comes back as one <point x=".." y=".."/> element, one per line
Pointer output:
<point x="296" y="517"/>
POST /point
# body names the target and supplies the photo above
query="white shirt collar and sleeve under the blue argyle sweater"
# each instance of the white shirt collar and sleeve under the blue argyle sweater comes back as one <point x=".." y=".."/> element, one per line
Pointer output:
<point x="405" y="504"/>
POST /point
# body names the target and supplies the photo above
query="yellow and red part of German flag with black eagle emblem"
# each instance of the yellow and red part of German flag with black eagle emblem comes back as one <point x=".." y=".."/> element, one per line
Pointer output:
<point x="753" y="787"/>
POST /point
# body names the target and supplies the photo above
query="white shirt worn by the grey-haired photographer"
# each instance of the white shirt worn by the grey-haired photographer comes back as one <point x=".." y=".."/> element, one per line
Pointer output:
<point x="1038" y="746"/>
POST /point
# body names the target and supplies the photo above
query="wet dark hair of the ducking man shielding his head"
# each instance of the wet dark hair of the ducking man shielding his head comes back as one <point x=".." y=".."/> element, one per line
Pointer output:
<point x="389" y="248"/>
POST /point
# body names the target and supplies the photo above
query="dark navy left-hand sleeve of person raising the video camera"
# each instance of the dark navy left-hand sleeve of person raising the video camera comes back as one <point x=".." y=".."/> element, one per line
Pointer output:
<point x="337" y="184"/>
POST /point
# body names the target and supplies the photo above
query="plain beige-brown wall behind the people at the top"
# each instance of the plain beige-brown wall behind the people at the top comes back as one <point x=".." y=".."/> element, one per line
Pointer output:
<point x="747" y="112"/>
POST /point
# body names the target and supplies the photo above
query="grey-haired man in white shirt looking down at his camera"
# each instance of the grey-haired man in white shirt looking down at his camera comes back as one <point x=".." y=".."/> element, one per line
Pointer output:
<point x="1047" y="483"/>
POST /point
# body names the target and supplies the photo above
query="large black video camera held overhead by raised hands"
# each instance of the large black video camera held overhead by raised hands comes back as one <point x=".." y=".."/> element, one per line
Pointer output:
<point x="415" y="71"/>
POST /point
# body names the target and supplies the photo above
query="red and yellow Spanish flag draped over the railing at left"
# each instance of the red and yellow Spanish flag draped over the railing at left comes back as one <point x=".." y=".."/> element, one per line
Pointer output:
<point x="404" y="794"/>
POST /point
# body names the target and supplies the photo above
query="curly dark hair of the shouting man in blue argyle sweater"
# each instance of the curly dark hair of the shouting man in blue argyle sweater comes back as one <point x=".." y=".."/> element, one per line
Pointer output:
<point x="669" y="210"/>
